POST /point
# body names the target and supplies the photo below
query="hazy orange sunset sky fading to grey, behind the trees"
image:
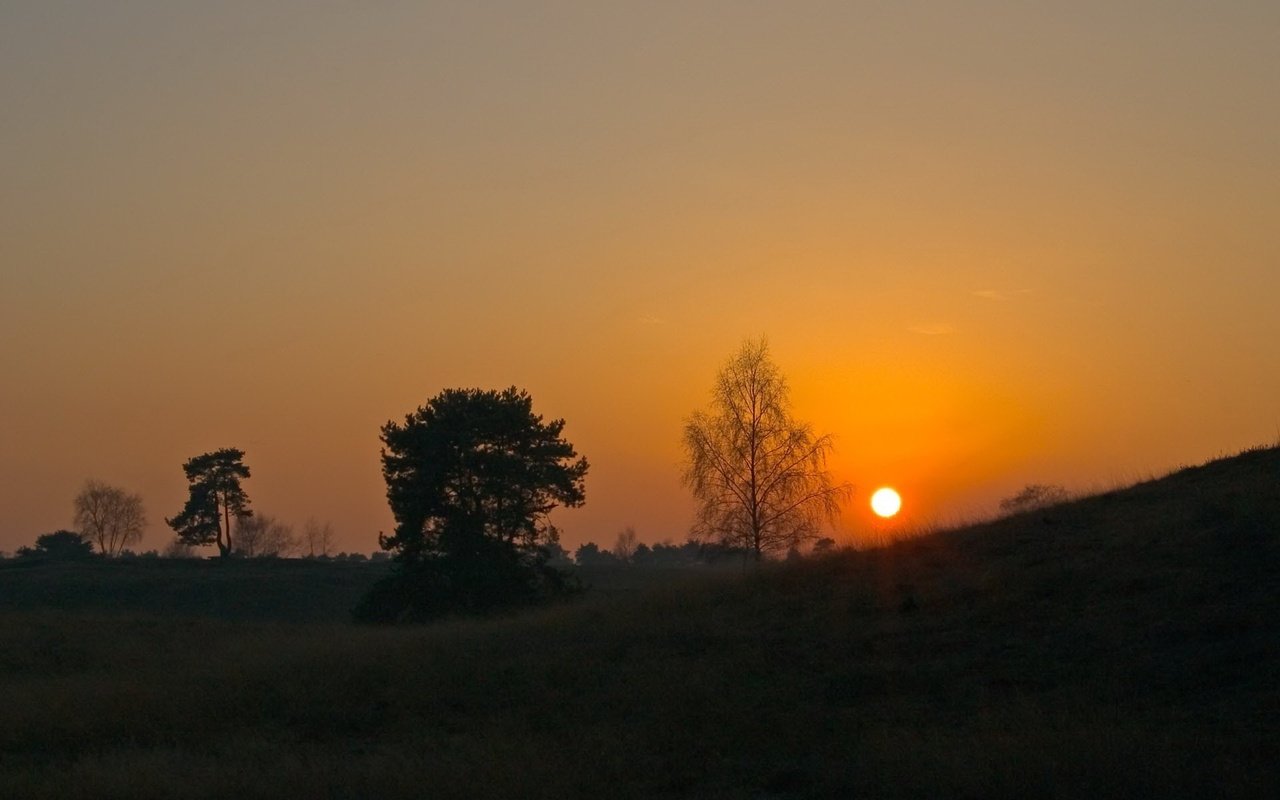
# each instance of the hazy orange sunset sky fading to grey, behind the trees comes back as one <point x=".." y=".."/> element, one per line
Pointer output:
<point x="990" y="244"/>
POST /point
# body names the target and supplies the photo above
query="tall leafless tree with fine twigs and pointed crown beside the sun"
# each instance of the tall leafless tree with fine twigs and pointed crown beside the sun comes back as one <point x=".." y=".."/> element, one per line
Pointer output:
<point x="760" y="476"/>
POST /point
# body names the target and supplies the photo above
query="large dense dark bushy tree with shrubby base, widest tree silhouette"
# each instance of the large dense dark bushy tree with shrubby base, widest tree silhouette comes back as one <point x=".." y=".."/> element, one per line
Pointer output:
<point x="470" y="479"/>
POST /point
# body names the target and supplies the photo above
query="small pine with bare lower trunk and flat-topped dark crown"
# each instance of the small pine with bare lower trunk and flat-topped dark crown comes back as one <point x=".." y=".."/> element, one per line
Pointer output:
<point x="216" y="499"/>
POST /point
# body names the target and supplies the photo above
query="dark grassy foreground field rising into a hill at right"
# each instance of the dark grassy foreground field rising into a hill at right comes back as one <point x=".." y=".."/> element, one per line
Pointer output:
<point x="1121" y="647"/>
